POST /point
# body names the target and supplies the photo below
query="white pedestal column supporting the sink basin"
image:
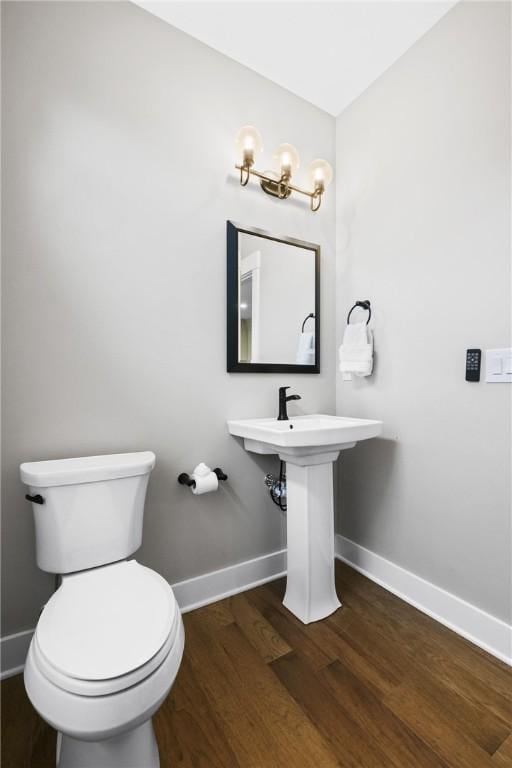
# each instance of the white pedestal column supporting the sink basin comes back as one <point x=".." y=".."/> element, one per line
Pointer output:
<point x="310" y="589"/>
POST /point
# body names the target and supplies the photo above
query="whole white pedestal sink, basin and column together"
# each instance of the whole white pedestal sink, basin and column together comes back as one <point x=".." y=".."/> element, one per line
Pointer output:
<point x="309" y="445"/>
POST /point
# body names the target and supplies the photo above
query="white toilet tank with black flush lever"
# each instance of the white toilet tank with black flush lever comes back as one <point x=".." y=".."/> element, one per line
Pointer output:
<point x="92" y="508"/>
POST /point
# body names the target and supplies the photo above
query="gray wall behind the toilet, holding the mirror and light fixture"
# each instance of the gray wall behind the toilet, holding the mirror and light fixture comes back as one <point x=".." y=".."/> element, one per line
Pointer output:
<point x="117" y="183"/>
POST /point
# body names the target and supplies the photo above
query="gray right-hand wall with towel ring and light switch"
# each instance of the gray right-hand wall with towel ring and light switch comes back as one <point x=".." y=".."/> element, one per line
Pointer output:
<point x="423" y="230"/>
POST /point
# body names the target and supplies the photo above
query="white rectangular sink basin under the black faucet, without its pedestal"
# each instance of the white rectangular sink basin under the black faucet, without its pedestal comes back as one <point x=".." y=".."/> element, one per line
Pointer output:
<point x="303" y="435"/>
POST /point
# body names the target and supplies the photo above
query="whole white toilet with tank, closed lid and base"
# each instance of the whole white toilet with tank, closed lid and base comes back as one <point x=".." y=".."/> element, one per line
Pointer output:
<point x="109" y="642"/>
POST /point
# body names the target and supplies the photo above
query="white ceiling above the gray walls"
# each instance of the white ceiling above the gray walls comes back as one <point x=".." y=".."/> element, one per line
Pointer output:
<point x="326" y="52"/>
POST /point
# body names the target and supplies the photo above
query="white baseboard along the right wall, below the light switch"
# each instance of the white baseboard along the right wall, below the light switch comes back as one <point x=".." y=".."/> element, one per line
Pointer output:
<point x="477" y="626"/>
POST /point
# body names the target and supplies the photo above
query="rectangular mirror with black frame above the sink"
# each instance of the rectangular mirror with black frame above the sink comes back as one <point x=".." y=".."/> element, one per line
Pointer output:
<point x="273" y="302"/>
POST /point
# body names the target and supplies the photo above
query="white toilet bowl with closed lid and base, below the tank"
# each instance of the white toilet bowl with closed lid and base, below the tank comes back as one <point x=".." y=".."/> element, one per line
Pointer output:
<point x="104" y="655"/>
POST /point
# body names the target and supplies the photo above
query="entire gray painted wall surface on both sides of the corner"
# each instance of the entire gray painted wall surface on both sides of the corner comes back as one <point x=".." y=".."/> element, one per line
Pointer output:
<point x="117" y="181"/>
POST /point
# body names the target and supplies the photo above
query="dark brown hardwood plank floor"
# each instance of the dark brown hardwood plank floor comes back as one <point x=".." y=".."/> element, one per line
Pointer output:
<point x="376" y="685"/>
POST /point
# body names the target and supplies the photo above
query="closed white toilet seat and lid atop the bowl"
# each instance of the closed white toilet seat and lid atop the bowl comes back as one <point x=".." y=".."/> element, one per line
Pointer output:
<point x="106" y="629"/>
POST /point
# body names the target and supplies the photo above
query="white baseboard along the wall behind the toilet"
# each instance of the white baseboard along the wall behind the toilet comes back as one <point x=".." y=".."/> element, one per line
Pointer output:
<point x="190" y="594"/>
